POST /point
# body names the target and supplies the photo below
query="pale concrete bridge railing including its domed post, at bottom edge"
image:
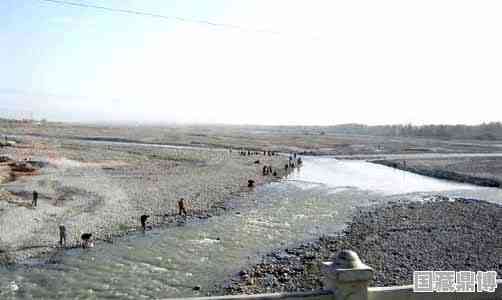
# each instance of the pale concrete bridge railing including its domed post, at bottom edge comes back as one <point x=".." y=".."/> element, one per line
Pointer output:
<point x="348" y="278"/>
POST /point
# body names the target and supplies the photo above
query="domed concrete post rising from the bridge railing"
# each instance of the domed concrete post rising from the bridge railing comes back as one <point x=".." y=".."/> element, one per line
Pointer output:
<point x="347" y="276"/>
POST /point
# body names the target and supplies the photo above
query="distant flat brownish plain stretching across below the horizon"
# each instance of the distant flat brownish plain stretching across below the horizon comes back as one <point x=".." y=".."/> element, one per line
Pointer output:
<point x="306" y="140"/>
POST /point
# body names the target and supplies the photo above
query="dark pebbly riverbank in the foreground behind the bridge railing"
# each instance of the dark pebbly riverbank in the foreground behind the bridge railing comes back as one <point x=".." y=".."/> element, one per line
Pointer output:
<point x="395" y="239"/>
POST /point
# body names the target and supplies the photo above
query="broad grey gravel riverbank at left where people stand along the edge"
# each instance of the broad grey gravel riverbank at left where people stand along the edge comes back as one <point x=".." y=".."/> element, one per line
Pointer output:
<point x="103" y="189"/>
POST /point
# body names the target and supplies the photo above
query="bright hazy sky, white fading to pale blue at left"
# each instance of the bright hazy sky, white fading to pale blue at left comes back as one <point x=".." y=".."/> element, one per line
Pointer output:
<point x="330" y="62"/>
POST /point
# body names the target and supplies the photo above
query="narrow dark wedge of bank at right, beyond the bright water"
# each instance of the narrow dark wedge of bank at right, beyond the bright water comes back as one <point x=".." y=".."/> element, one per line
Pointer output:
<point x="482" y="171"/>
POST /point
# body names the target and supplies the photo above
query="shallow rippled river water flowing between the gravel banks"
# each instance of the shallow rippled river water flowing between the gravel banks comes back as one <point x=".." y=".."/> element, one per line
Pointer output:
<point x="168" y="262"/>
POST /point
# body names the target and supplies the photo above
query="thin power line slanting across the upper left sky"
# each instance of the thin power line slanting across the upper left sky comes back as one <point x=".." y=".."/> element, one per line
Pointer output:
<point x="154" y="15"/>
